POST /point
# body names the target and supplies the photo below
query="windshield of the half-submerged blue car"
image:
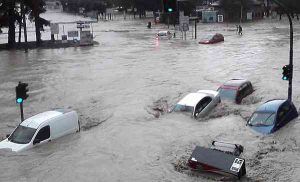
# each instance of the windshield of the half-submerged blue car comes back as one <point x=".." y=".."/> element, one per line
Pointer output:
<point x="262" y="119"/>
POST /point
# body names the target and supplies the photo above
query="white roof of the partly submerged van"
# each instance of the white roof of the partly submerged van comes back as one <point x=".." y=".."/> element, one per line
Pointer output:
<point x="36" y="120"/>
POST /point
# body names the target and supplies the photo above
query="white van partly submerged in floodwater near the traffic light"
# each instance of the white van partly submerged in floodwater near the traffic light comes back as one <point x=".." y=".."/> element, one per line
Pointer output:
<point x="42" y="128"/>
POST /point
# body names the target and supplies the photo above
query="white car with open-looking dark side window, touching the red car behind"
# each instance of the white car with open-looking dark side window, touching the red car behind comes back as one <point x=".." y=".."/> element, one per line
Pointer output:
<point x="198" y="104"/>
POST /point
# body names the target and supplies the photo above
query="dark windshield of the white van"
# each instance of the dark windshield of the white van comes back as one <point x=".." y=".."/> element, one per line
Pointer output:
<point x="22" y="135"/>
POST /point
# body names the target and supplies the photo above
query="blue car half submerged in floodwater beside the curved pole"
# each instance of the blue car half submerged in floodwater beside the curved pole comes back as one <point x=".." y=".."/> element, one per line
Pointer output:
<point x="272" y="115"/>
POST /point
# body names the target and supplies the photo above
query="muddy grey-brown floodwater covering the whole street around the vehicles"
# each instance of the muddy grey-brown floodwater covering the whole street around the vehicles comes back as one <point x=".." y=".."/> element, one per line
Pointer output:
<point x="116" y="85"/>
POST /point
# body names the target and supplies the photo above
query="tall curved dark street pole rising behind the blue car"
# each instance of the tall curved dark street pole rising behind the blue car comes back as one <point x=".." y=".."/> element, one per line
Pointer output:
<point x="291" y="50"/>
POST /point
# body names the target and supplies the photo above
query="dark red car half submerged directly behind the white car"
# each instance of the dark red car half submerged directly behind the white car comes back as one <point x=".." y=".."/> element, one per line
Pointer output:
<point x="235" y="90"/>
